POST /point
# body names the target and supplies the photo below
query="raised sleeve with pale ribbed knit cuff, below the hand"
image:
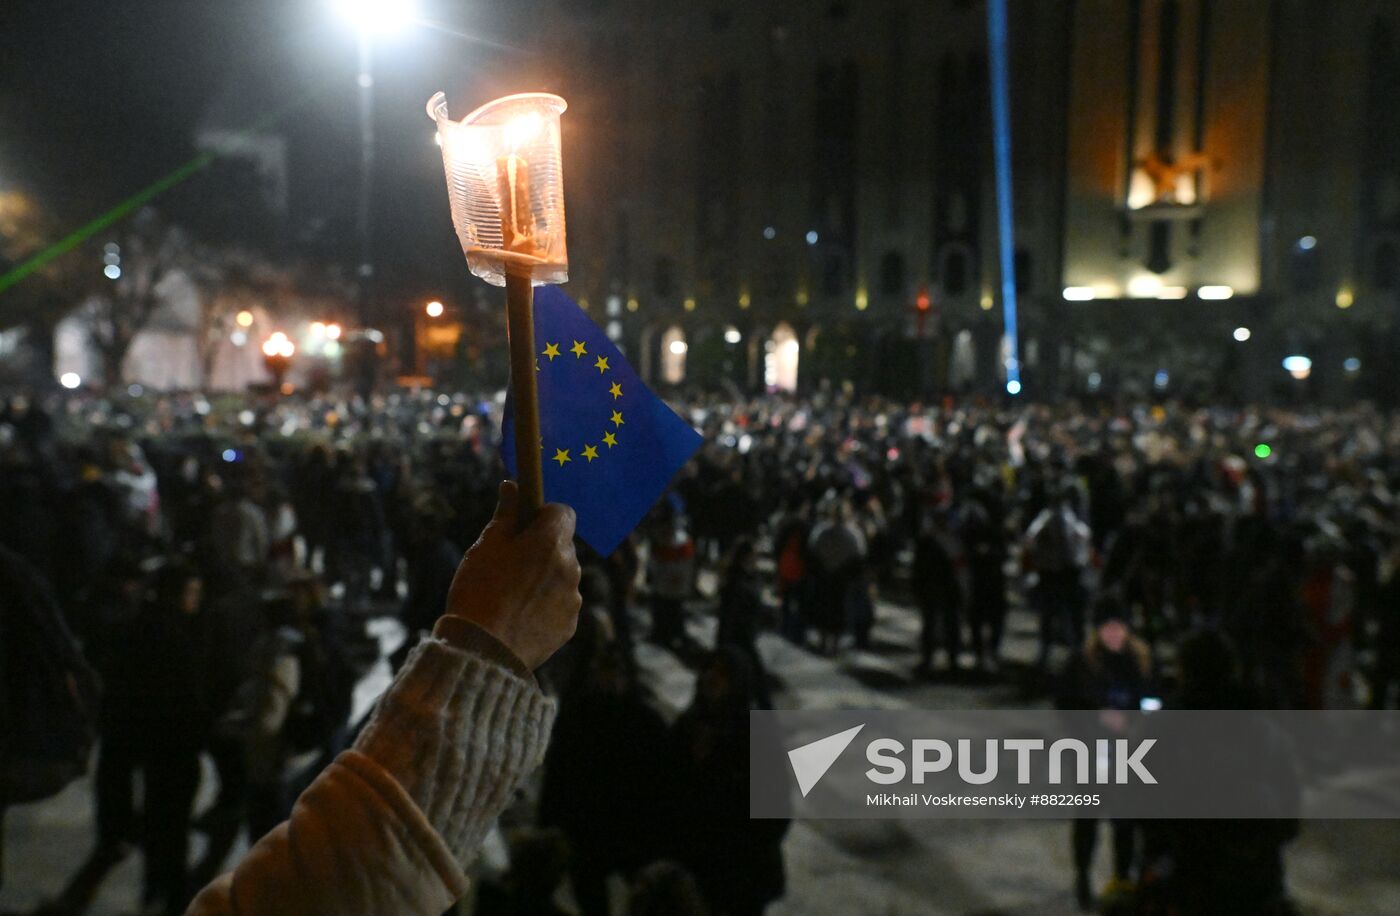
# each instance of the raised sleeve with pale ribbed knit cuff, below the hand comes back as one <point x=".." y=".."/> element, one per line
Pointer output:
<point x="391" y="826"/>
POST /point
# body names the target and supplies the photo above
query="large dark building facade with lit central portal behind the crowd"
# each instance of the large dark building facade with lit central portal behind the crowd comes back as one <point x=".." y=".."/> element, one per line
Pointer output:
<point x="799" y="193"/>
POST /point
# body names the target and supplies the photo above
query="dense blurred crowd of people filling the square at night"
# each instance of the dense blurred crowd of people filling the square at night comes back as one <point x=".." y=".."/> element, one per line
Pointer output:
<point x="218" y="561"/>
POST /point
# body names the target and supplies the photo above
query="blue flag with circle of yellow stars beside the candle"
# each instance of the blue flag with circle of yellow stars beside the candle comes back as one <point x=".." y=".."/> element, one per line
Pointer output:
<point x="610" y="446"/>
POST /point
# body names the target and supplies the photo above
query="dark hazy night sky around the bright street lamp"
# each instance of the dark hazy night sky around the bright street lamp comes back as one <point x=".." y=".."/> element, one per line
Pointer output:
<point x="97" y="100"/>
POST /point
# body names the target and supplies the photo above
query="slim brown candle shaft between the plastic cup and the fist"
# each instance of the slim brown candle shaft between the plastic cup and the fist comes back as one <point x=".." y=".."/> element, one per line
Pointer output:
<point x="520" y="327"/>
